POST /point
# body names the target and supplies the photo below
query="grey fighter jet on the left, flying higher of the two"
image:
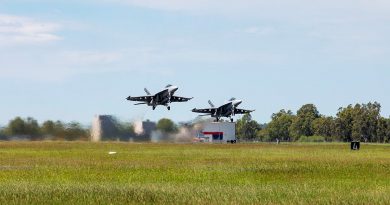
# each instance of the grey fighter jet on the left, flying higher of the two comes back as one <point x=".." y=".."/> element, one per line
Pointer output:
<point x="164" y="97"/>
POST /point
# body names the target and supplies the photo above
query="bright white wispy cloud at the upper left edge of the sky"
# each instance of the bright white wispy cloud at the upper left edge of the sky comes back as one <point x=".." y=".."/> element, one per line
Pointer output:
<point x="24" y="30"/>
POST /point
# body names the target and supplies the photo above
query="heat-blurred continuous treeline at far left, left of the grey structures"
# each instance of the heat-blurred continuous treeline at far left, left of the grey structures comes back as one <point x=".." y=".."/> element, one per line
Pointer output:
<point x="30" y="129"/>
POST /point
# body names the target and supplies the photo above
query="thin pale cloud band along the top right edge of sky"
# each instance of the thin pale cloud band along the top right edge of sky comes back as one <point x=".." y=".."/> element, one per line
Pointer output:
<point x="264" y="8"/>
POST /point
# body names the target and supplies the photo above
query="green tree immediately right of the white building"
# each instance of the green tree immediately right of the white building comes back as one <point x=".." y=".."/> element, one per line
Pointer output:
<point x="247" y="128"/>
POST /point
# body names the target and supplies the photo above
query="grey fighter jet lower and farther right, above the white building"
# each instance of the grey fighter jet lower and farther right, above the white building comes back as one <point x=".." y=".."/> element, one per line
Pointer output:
<point x="228" y="109"/>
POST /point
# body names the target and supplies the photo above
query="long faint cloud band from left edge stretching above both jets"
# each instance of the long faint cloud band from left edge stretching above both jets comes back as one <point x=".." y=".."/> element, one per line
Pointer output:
<point x="58" y="65"/>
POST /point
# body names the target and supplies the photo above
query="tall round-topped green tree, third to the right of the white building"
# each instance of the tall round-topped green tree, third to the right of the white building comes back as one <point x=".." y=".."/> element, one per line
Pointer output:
<point x="302" y="124"/>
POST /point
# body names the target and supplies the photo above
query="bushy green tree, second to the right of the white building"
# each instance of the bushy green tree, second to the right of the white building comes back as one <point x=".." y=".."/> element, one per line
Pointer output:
<point x="279" y="126"/>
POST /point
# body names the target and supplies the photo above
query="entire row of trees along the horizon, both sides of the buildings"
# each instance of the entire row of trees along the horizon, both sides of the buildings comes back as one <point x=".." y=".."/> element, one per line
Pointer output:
<point x="361" y="122"/>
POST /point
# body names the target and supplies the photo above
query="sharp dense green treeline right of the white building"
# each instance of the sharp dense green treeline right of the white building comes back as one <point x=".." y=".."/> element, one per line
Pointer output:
<point x="361" y="122"/>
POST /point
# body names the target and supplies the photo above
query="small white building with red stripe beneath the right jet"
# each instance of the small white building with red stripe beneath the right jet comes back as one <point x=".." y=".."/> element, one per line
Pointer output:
<point x="219" y="132"/>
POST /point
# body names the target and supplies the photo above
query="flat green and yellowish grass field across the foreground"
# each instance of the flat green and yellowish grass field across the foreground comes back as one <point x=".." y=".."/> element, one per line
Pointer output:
<point x="84" y="173"/>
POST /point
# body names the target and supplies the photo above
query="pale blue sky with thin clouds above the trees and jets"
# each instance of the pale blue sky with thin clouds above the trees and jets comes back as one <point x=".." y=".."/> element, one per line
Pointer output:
<point x="71" y="60"/>
